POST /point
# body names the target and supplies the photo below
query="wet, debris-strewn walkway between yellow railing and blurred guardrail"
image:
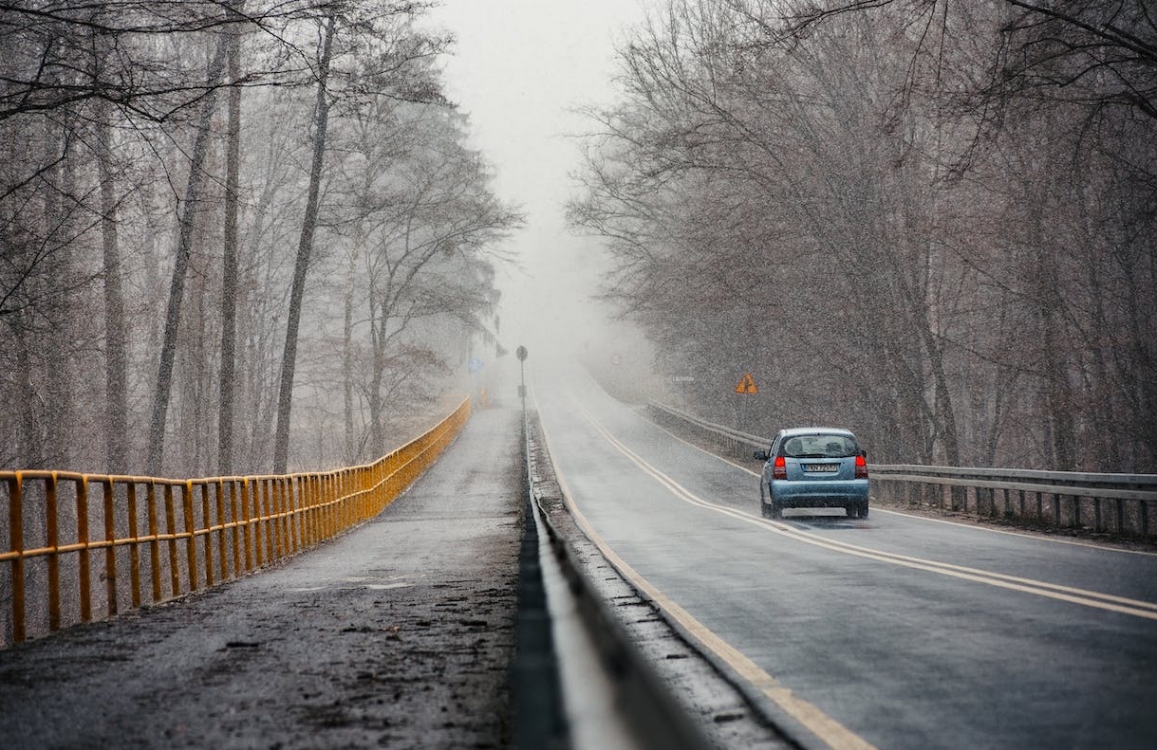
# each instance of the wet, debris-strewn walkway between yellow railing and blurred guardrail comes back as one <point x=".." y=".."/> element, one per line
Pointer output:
<point x="397" y="635"/>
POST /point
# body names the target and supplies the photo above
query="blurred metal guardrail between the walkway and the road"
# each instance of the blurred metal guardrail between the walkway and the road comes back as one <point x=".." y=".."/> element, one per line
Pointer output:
<point x="616" y="700"/>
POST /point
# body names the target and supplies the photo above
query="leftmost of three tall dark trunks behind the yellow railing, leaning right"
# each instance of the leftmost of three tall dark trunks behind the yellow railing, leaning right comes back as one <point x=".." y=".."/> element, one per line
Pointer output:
<point x="178" y="286"/>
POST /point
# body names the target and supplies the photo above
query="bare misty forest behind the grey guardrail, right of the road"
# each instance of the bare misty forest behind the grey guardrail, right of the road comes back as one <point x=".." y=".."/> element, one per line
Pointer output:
<point x="932" y="222"/>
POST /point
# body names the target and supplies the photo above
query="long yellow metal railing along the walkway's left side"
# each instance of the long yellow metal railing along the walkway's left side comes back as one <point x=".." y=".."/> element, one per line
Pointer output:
<point x="71" y="536"/>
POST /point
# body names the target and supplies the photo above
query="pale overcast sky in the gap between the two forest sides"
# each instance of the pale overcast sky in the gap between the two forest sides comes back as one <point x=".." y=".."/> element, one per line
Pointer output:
<point x="519" y="70"/>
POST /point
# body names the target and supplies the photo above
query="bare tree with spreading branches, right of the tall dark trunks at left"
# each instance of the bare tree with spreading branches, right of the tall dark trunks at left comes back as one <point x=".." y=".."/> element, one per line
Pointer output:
<point x="419" y="216"/>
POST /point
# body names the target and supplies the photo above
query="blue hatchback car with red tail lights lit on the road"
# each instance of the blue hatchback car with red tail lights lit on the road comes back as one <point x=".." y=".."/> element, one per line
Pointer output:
<point x="814" y="468"/>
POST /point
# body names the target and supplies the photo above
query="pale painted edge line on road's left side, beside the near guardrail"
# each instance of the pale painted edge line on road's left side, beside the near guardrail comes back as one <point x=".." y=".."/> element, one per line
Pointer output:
<point x="831" y="732"/>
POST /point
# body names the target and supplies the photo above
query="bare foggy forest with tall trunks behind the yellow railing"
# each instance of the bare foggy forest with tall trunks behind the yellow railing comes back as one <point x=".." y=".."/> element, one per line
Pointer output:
<point x="235" y="237"/>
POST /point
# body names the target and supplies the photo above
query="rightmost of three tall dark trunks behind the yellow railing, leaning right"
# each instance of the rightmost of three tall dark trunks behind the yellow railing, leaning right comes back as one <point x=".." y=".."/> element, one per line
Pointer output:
<point x="305" y="248"/>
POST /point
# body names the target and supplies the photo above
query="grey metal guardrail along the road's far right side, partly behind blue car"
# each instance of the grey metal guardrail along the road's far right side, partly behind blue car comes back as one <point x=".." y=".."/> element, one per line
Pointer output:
<point x="1104" y="503"/>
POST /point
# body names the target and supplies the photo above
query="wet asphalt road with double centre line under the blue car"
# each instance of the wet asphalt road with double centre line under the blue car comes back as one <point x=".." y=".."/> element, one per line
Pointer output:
<point x="911" y="634"/>
